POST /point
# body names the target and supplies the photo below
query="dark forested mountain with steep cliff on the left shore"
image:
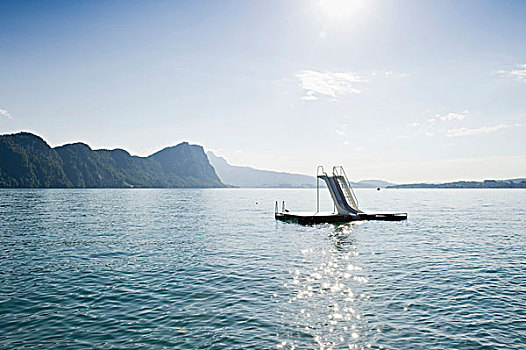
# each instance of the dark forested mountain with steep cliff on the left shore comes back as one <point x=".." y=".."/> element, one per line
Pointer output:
<point x="26" y="160"/>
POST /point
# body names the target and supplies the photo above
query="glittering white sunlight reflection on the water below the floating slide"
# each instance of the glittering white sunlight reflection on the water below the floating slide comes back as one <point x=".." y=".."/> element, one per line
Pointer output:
<point x="327" y="295"/>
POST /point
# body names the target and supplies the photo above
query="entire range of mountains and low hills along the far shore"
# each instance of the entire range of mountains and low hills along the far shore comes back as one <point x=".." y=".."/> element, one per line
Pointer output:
<point x="27" y="161"/>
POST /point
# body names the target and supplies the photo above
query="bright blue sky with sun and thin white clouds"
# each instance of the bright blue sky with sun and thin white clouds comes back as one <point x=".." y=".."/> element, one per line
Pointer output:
<point x="404" y="91"/>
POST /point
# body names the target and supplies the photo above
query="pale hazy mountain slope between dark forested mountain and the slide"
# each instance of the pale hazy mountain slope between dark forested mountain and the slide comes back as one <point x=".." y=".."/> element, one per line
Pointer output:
<point x="242" y="176"/>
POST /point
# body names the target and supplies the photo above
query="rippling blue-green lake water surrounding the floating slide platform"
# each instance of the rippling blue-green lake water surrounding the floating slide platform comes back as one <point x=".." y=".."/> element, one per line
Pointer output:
<point x="212" y="269"/>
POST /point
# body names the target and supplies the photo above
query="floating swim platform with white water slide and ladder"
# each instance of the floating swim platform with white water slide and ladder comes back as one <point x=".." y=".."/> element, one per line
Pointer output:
<point x="345" y="203"/>
